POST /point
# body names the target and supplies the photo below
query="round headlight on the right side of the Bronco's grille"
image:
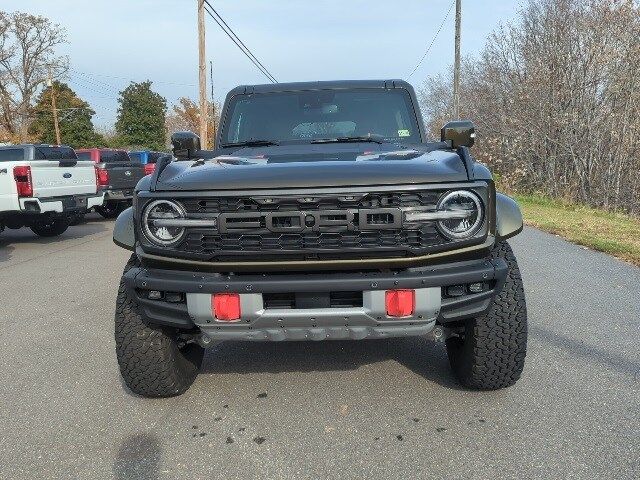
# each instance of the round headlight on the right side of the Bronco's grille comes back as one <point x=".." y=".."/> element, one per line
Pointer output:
<point x="465" y="215"/>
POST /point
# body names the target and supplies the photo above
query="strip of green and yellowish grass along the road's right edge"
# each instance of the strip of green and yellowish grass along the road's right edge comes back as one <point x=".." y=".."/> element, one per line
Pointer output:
<point x="613" y="233"/>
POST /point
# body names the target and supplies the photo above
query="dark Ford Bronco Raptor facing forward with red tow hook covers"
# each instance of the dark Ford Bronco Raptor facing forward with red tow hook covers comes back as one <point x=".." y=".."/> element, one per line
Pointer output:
<point x="323" y="213"/>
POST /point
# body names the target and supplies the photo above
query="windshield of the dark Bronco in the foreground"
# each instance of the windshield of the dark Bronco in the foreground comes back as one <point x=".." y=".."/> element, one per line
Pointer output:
<point x="322" y="114"/>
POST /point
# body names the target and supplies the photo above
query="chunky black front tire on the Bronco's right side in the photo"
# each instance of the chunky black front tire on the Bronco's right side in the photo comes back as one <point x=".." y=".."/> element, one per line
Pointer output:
<point x="490" y="352"/>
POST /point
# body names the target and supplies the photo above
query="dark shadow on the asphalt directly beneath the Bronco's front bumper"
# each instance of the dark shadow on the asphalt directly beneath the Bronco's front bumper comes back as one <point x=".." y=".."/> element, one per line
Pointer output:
<point x="420" y="355"/>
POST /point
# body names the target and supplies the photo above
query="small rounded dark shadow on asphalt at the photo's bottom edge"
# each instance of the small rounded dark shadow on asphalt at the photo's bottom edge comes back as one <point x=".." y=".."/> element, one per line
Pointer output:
<point x="138" y="457"/>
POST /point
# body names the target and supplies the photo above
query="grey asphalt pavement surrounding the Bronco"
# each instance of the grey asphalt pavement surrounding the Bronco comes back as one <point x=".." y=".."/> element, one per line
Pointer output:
<point x="379" y="409"/>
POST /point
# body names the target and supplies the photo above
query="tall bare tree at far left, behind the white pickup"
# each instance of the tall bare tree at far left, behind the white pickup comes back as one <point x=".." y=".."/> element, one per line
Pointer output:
<point x="27" y="55"/>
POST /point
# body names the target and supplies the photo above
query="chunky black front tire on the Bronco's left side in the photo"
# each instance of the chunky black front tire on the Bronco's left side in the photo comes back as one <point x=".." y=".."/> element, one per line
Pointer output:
<point x="151" y="362"/>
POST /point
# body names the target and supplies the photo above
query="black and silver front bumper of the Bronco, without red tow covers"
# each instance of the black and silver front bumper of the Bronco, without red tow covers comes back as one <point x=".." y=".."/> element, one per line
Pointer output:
<point x="369" y="320"/>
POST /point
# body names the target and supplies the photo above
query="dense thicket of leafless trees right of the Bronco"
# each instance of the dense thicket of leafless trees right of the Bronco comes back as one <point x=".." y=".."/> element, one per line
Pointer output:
<point x="556" y="100"/>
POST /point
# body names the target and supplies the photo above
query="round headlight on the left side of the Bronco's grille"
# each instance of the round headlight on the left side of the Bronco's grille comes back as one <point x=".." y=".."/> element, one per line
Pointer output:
<point x="160" y="222"/>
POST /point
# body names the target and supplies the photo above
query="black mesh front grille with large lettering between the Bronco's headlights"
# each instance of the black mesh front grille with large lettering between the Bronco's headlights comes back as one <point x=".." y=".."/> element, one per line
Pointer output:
<point x="311" y="226"/>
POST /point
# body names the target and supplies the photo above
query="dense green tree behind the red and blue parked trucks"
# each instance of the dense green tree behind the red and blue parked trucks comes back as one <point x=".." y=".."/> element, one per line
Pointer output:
<point x="141" y="117"/>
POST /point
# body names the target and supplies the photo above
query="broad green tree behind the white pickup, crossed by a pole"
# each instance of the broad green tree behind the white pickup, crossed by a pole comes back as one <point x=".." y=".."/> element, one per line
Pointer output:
<point x="74" y="114"/>
